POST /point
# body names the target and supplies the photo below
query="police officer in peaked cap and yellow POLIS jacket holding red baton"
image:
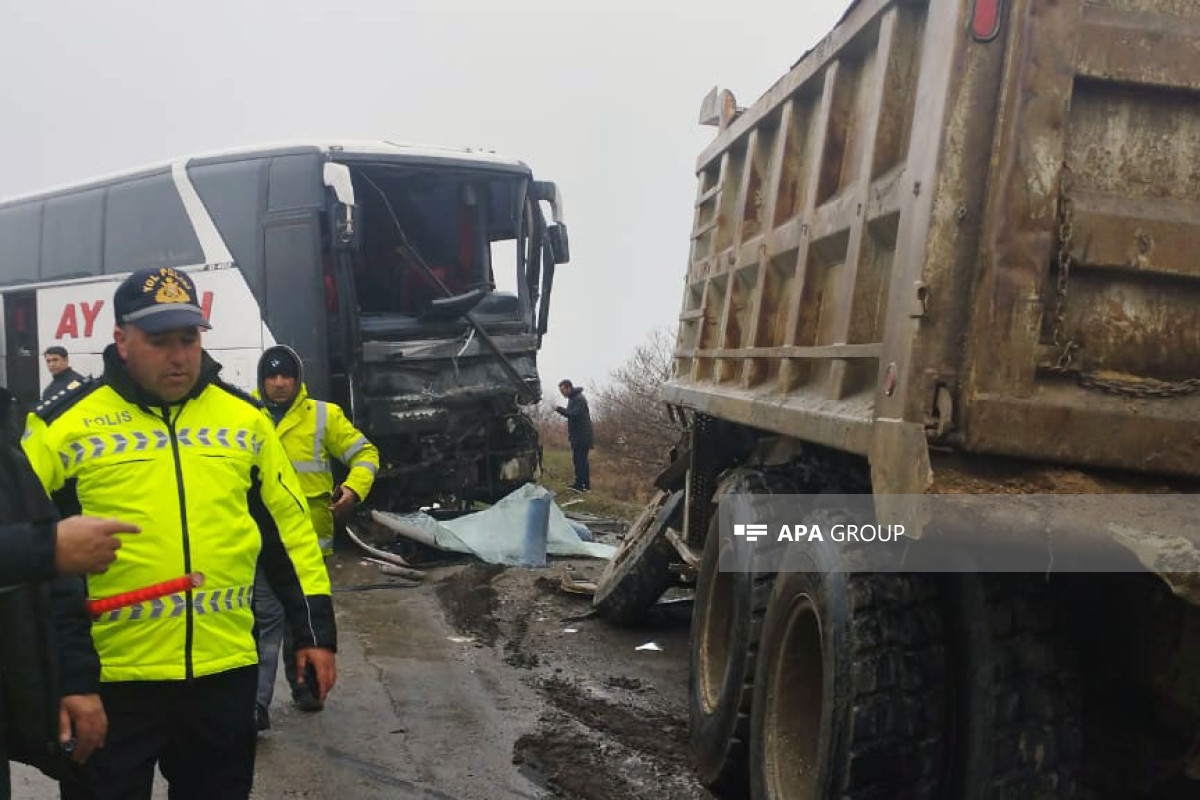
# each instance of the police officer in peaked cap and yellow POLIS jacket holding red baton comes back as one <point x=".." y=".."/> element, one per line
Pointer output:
<point x="160" y="441"/>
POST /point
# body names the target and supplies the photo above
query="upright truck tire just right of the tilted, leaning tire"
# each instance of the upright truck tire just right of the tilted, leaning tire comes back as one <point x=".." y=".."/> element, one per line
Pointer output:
<point x="727" y="619"/>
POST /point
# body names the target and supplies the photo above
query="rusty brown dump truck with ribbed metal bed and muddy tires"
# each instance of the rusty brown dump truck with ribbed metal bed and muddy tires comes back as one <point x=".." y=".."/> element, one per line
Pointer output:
<point x="952" y="250"/>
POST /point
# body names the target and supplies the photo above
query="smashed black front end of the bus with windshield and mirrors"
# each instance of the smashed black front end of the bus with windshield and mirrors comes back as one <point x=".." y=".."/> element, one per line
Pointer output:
<point x="439" y="285"/>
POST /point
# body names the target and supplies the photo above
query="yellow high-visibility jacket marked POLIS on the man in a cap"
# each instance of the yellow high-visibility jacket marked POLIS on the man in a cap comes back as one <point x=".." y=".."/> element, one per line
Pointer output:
<point x="212" y="489"/>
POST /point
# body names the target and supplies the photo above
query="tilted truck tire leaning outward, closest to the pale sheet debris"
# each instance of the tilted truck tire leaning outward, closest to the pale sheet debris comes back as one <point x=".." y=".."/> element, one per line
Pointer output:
<point x="640" y="572"/>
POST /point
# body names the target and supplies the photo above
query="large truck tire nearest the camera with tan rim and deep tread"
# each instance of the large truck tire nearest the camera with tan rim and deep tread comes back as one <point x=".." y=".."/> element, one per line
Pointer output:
<point x="850" y="697"/>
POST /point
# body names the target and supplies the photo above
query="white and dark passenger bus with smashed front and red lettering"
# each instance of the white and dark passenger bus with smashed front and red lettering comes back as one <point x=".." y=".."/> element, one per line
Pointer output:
<point x="413" y="281"/>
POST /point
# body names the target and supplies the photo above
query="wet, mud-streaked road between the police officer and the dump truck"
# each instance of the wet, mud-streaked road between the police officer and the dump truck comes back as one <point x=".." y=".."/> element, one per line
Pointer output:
<point x="483" y="684"/>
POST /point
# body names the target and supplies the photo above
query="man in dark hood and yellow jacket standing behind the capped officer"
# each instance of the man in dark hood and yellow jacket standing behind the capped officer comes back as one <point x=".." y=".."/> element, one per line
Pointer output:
<point x="313" y="431"/>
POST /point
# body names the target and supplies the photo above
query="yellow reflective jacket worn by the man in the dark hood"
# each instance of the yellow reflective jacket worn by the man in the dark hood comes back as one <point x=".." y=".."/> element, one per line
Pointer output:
<point x="314" y="431"/>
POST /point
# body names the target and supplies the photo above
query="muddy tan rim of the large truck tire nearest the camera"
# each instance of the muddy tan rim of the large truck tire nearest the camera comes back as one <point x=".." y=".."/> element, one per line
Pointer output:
<point x="795" y="701"/>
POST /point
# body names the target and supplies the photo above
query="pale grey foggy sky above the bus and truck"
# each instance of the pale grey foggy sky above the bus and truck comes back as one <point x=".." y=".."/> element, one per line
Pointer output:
<point x="602" y="99"/>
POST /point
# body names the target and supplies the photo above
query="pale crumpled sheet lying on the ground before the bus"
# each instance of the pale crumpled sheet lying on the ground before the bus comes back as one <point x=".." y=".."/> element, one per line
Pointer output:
<point x="508" y="533"/>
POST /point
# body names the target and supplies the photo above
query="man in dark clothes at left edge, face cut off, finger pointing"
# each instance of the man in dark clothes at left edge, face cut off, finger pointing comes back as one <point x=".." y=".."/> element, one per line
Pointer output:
<point x="38" y="555"/>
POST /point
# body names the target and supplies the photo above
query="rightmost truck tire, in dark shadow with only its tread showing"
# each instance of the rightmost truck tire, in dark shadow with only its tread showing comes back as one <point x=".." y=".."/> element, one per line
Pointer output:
<point x="1022" y="726"/>
